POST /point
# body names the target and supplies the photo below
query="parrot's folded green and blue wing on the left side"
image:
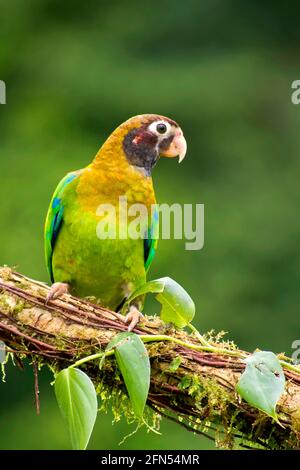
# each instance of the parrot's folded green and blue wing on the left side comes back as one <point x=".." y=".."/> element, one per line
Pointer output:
<point x="54" y="219"/>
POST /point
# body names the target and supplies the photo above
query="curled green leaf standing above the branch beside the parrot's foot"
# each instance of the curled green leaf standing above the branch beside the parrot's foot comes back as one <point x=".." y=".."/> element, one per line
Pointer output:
<point x="177" y="306"/>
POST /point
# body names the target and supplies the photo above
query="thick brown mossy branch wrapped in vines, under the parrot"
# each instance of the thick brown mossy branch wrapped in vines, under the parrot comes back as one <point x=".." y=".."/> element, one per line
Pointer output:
<point x="197" y="390"/>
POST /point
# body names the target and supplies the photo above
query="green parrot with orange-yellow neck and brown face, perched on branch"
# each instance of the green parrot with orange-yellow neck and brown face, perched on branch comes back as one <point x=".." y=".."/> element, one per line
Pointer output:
<point x="110" y="269"/>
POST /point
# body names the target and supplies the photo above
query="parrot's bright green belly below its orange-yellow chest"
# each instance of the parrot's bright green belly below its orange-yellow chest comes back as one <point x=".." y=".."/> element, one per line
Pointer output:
<point x="107" y="269"/>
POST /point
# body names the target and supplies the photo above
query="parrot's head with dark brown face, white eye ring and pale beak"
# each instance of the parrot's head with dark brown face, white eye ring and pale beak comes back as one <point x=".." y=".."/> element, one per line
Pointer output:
<point x="145" y="138"/>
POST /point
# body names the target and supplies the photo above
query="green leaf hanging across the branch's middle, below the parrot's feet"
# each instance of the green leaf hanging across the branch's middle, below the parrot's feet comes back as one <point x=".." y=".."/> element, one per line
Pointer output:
<point x="133" y="361"/>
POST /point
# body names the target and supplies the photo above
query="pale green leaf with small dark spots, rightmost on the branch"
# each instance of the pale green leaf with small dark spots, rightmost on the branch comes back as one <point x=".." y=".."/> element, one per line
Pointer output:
<point x="262" y="382"/>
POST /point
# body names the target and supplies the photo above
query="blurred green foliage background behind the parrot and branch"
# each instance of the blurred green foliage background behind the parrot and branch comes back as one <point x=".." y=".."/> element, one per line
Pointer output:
<point x="223" y="70"/>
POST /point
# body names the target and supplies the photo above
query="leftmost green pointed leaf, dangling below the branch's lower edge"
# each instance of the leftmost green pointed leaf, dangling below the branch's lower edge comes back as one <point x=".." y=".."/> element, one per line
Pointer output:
<point x="77" y="400"/>
